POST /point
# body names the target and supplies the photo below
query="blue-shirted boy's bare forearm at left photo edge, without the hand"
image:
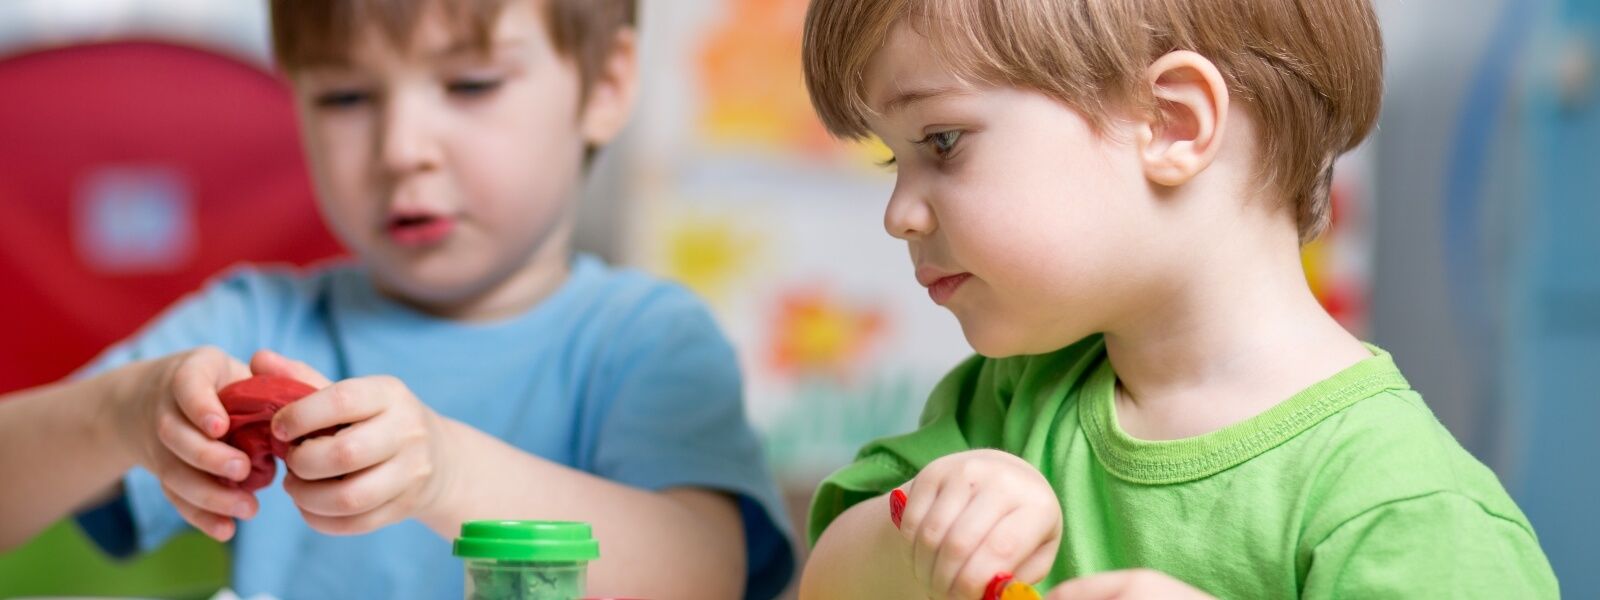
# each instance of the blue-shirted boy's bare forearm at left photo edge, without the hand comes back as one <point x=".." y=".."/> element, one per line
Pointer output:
<point x="58" y="452"/>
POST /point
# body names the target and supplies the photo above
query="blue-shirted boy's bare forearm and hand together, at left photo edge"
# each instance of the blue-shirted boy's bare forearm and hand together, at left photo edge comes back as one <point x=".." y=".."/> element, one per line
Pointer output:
<point x="65" y="447"/>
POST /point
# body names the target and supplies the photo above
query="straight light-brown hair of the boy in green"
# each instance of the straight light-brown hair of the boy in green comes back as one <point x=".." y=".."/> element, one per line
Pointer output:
<point x="1311" y="71"/>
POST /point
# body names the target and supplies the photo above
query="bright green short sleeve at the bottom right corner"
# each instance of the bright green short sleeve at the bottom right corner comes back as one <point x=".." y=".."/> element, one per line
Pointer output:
<point x="1436" y="546"/>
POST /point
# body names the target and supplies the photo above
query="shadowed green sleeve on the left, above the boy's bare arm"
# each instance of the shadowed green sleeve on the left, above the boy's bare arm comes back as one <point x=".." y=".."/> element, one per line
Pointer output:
<point x="956" y="420"/>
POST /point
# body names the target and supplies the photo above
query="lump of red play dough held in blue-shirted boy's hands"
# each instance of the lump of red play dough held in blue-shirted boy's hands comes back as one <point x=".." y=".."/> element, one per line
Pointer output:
<point x="250" y="407"/>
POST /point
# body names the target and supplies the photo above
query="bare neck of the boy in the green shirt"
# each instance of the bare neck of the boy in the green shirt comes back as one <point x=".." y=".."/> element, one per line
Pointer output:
<point x="1239" y="335"/>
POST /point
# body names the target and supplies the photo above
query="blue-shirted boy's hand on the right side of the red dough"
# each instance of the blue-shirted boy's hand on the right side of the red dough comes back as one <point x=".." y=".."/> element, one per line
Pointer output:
<point x="383" y="468"/>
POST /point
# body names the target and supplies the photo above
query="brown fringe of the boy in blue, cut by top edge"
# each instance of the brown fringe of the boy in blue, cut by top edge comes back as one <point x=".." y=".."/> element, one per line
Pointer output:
<point x="308" y="33"/>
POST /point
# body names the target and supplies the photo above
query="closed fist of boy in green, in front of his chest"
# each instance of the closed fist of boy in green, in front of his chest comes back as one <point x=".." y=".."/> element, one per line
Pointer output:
<point x="978" y="514"/>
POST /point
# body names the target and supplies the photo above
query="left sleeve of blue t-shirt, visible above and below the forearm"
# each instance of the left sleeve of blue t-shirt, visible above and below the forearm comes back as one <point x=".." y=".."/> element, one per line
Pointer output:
<point x="223" y="316"/>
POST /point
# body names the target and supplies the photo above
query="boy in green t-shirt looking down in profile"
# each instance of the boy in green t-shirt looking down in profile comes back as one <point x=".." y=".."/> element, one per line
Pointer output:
<point x="1111" y="198"/>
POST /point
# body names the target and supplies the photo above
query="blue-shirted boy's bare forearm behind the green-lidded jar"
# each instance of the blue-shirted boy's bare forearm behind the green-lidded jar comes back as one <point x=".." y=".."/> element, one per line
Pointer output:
<point x="671" y="545"/>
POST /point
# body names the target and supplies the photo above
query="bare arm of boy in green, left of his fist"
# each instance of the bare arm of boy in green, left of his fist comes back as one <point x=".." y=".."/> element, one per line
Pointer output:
<point x="862" y="556"/>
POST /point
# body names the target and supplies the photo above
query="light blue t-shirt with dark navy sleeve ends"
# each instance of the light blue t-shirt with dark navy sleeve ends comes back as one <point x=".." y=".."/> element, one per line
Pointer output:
<point x="615" y="374"/>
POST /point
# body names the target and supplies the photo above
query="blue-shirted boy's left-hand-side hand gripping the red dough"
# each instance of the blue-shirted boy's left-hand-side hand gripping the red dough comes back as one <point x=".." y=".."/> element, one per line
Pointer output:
<point x="172" y="422"/>
